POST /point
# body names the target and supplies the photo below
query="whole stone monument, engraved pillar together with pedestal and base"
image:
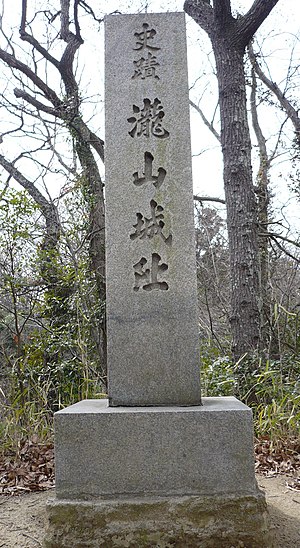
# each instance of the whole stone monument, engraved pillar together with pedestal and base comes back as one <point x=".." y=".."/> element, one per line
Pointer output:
<point x="152" y="465"/>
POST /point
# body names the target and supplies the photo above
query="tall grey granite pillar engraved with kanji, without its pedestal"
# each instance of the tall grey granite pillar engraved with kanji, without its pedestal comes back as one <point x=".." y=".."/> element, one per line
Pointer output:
<point x="153" y="347"/>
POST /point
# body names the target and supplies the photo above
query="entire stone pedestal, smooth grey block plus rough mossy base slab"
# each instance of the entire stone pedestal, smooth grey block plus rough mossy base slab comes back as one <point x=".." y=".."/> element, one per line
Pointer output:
<point x="156" y="476"/>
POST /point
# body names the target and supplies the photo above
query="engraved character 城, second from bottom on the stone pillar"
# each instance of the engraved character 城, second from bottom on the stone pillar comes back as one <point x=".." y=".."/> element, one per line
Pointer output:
<point x="148" y="227"/>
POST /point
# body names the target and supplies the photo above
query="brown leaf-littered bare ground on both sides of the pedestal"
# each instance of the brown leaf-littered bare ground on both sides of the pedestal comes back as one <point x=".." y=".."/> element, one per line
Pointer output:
<point x="30" y="473"/>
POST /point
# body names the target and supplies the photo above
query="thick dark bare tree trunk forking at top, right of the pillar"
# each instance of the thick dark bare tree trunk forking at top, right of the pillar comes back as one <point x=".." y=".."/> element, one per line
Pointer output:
<point x="229" y="37"/>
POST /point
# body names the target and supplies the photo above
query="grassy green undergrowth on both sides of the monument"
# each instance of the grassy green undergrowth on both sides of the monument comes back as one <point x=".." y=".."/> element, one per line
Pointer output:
<point x="270" y="388"/>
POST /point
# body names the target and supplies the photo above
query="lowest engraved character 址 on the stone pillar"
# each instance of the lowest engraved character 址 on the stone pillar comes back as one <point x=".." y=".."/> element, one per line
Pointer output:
<point x="148" y="278"/>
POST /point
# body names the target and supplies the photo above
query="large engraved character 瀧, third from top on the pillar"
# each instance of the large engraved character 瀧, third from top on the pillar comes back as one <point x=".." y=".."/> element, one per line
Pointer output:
<point x="148" y="120"/>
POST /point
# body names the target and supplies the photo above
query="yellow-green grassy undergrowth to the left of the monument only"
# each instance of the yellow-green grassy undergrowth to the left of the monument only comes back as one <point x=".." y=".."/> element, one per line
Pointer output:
<point x="27" y="407"/>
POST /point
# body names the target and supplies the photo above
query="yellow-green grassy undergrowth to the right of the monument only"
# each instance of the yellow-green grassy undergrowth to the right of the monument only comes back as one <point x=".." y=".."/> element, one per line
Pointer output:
<point x="270" y="388"/>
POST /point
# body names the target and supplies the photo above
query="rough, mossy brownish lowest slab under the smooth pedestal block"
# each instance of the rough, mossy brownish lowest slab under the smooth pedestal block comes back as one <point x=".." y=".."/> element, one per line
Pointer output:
<point x="182" y="522"/>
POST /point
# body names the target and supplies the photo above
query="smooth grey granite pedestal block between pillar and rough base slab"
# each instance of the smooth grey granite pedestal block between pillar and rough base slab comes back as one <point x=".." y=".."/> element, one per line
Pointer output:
<point x="103" y="451"/>
